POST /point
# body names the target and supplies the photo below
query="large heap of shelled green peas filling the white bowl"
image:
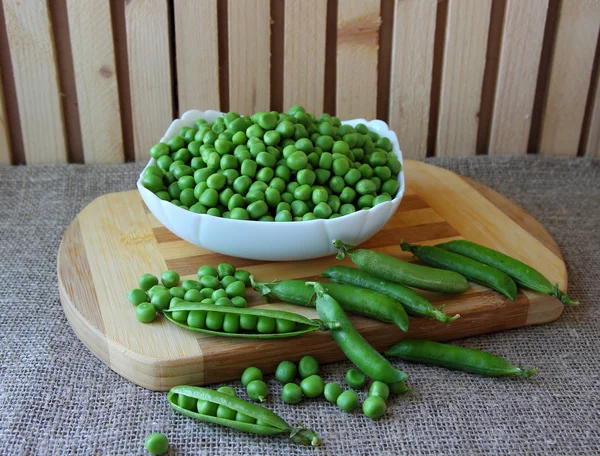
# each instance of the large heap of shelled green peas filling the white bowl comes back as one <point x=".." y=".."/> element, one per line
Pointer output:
<point x="274" y="167"/>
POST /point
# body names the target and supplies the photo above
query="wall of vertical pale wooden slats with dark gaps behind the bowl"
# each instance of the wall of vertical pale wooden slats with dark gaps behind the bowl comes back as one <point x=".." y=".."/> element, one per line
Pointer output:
<point x="451" y="77"/>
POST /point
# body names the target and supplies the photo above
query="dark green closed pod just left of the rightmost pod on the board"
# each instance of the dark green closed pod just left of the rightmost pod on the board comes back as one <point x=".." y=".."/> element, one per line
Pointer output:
<point x="473" y="270"/>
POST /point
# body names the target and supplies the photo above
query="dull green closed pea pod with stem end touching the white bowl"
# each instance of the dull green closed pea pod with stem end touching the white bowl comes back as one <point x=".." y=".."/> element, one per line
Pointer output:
<point x="396" y="270"/>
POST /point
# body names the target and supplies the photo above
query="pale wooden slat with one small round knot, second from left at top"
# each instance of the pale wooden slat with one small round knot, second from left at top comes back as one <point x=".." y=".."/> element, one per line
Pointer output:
<point x="90" y="28"/>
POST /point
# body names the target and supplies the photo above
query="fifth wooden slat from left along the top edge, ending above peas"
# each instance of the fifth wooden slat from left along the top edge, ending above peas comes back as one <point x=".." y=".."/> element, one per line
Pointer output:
<point x="249" y="55"/>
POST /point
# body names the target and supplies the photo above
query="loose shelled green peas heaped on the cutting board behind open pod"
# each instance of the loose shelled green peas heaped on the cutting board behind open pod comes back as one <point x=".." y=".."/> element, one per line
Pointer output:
<point x="222" y="286"/>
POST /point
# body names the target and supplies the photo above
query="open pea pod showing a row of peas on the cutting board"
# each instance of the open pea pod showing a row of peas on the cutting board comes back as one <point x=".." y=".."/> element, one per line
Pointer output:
<point x="240" y="322"/>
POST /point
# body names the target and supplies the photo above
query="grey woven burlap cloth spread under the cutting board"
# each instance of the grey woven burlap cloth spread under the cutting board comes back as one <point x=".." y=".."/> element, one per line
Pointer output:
<point x="57" y="398"/>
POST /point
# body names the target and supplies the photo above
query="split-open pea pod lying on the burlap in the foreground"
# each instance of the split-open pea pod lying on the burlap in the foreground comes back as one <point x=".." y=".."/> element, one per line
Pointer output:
<point x="270" y="423"/>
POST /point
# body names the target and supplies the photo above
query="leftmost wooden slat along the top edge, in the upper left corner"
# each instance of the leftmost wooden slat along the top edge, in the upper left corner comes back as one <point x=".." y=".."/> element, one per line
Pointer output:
<point x="34" y="68"/>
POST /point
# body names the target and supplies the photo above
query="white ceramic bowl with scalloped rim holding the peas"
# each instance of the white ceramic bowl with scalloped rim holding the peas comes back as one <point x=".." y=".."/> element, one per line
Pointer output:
<point x="271" y="241"/>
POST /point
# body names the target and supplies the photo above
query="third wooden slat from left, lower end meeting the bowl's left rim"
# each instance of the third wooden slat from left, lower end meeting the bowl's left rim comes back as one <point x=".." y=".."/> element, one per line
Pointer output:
<point x="148" y="53"/>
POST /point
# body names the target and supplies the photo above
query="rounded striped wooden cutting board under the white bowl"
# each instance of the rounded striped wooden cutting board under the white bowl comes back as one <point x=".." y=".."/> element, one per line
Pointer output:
<point x="115" y="239"/>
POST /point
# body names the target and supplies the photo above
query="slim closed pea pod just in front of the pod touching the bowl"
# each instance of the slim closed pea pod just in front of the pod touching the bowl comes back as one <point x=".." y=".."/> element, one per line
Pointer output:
<point x="413" y="302"/>
